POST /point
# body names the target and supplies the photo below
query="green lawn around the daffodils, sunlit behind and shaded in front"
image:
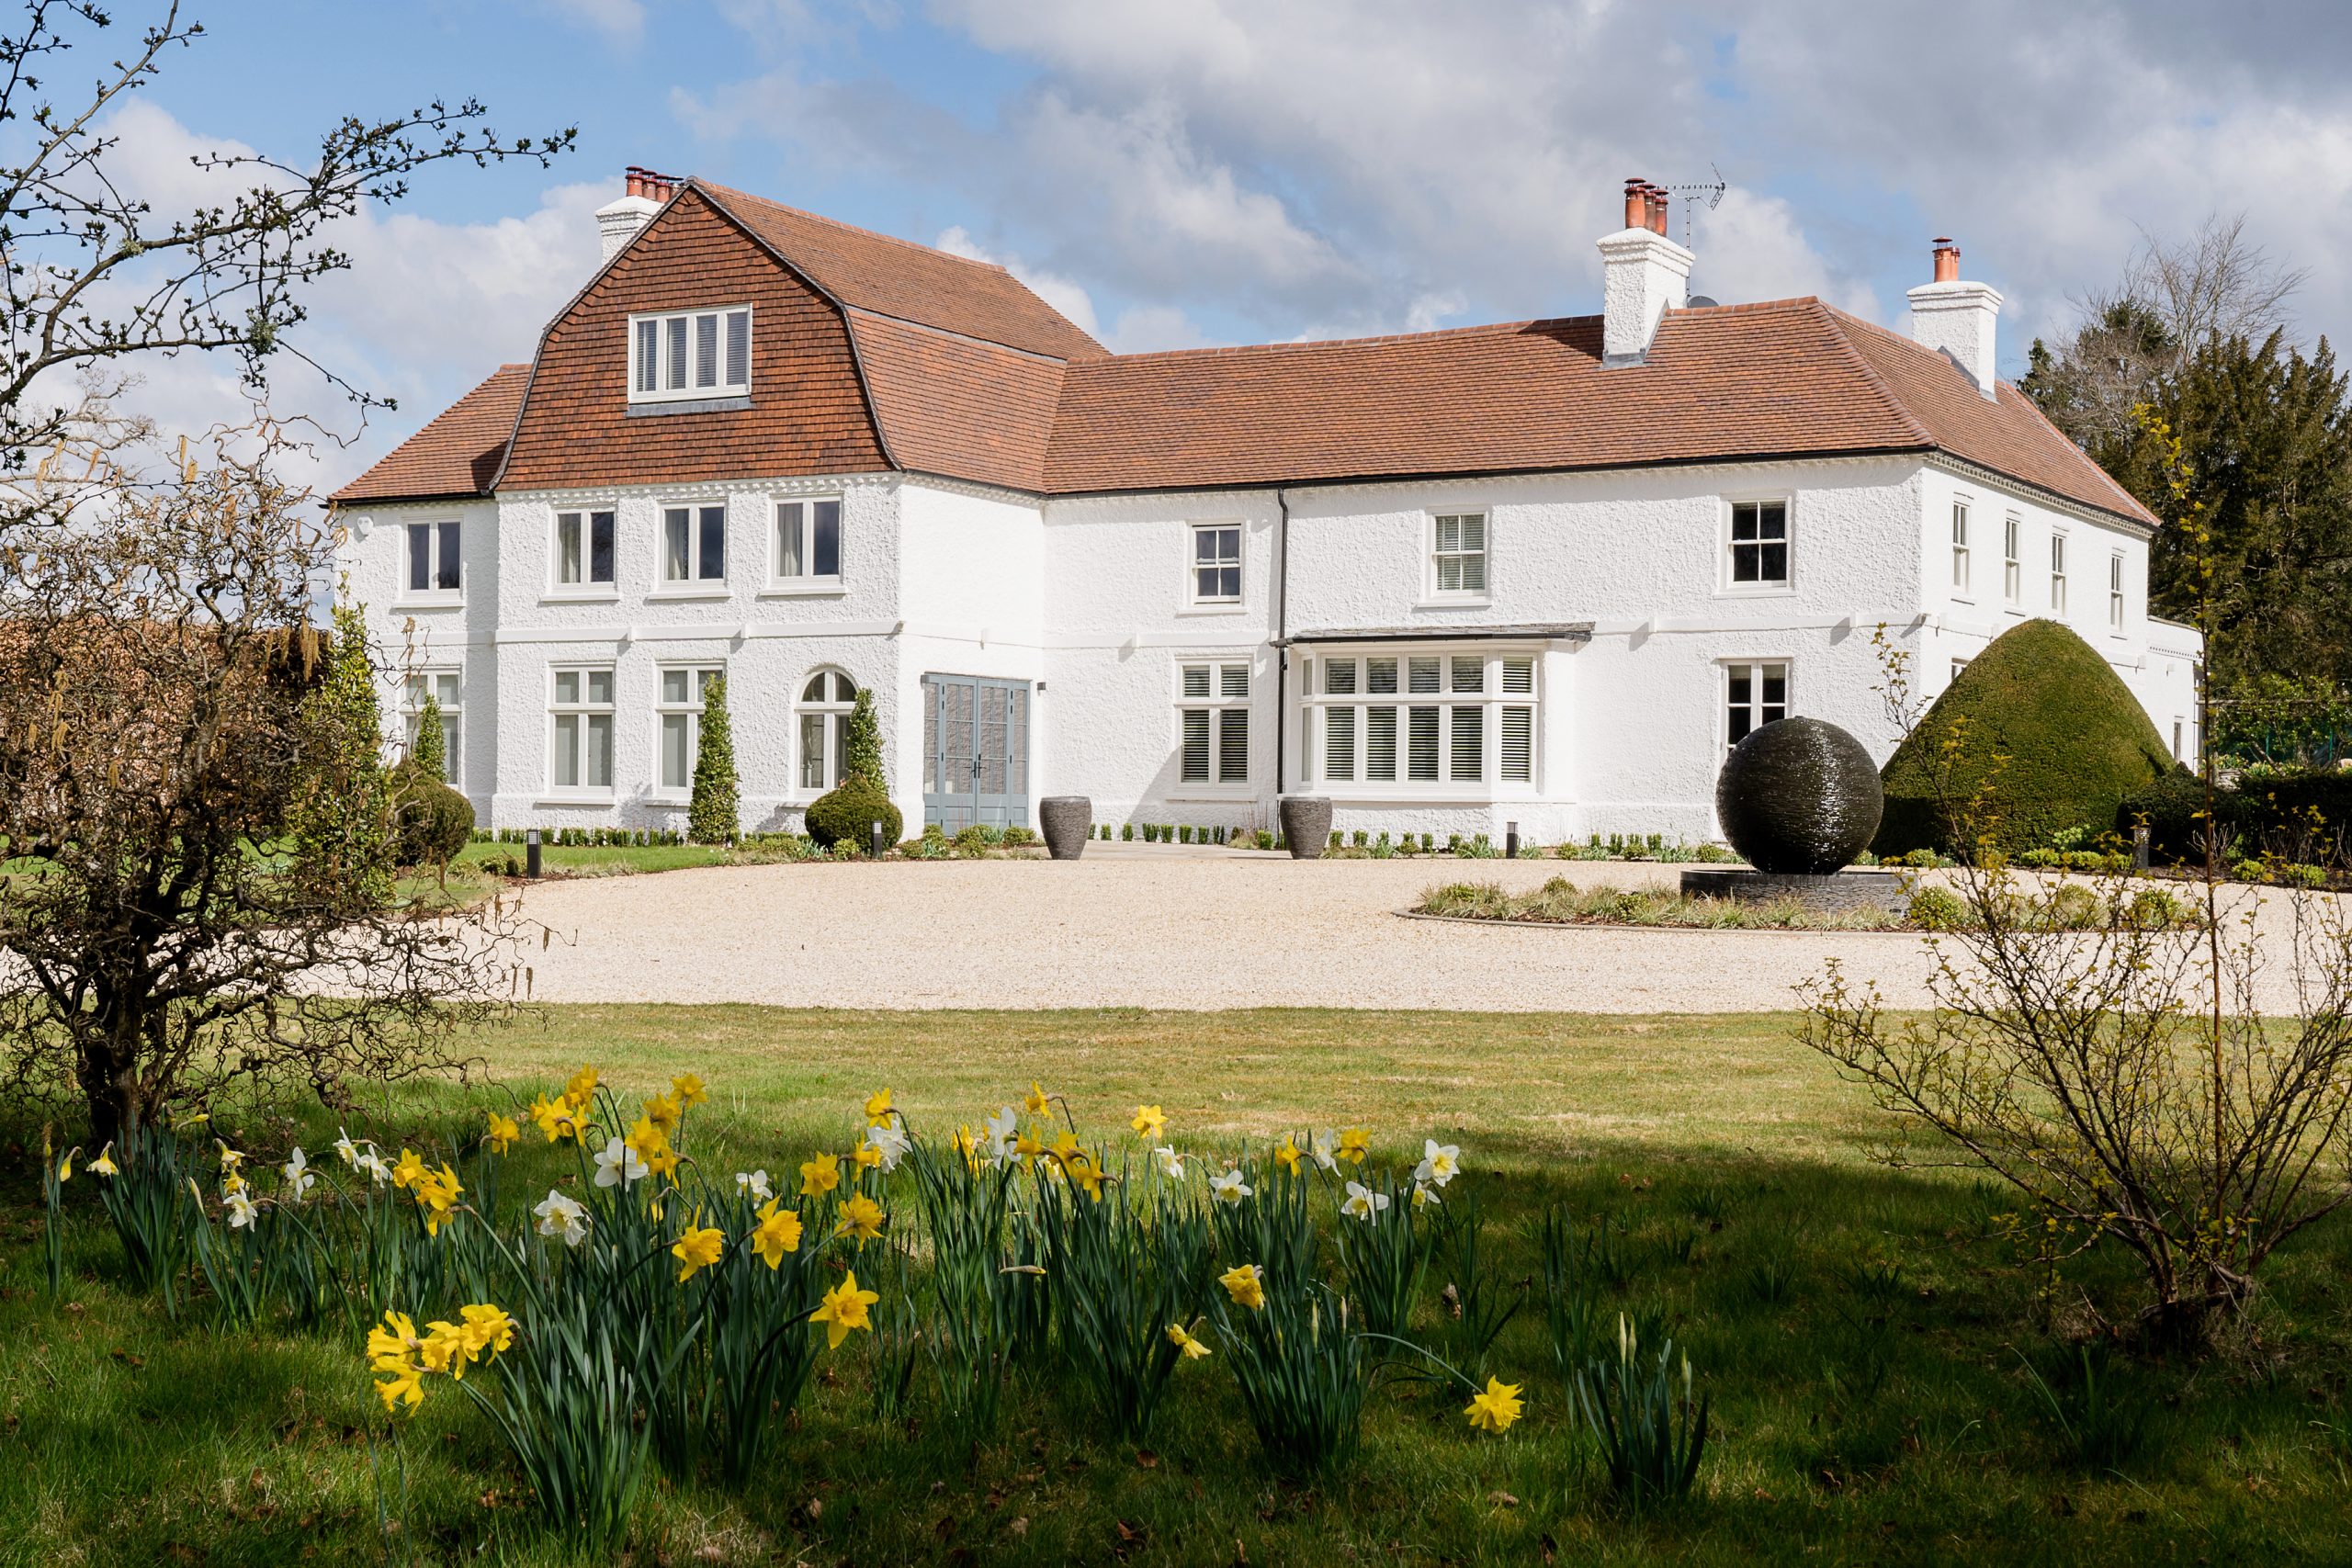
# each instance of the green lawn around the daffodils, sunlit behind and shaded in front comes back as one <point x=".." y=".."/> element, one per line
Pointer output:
<point x="1864" y="1339"/>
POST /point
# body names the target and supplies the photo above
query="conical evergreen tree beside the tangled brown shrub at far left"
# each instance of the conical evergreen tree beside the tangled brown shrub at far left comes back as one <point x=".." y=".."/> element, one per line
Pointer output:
<point x="342" y="805"/>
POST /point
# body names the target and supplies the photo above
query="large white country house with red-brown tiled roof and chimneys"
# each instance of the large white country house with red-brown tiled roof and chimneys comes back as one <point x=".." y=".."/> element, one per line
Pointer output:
<point x="1539" y="572"/>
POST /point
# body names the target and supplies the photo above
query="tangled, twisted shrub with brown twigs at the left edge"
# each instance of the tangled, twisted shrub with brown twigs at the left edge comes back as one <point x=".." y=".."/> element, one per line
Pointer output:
<point x="161" y="927"/>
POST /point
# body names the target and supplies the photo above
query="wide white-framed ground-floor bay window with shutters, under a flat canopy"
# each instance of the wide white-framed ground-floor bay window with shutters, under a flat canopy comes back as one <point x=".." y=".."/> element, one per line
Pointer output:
<point x="1509" y="678"/>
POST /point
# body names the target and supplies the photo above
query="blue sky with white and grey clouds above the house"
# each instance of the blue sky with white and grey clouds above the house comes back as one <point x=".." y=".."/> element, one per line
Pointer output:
<point x="1231" y="170"/>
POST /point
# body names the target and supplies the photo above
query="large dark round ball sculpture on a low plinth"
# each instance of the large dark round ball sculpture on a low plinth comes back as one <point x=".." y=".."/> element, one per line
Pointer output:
<point x="1800" y="796"/>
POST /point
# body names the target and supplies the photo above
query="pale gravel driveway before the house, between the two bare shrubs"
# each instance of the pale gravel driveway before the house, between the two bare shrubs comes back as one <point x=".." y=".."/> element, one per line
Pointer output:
<point x="1168" y="932"/>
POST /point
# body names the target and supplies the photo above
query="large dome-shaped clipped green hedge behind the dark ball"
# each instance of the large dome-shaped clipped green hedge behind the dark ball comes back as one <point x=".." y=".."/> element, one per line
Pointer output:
<point x="2073" y="737"/>
